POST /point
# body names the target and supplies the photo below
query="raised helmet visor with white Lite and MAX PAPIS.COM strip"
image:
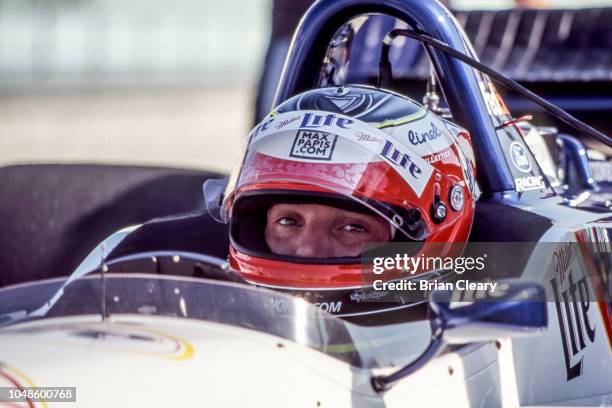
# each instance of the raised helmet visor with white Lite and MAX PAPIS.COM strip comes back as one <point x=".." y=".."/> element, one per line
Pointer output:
<point x="316" y="152"/>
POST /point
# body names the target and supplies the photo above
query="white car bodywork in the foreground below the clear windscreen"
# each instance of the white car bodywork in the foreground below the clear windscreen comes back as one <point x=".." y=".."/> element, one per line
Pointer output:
<point x="134" y="360"/>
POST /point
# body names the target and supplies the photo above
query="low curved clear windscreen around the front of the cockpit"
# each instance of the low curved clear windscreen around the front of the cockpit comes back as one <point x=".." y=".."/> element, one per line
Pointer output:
<point x="231" y="304"/>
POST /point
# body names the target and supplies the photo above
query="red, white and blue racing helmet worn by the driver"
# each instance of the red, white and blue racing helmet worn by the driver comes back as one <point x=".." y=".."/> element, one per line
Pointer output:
<point x="358" y="148"/>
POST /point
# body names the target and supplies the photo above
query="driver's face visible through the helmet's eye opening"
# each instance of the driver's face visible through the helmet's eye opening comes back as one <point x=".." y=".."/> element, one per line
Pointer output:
<point x="321" y="231"/>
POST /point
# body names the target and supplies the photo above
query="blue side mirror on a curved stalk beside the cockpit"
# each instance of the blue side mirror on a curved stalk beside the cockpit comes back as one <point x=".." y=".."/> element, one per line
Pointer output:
<point x="514" y="309"/>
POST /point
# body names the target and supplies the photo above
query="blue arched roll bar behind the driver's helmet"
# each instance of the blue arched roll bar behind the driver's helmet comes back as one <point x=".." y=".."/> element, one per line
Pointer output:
<point x="459" y="81"/>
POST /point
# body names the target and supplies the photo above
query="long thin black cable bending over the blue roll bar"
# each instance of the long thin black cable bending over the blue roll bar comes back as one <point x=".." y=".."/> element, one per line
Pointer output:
<point x="385" y="75"/>
